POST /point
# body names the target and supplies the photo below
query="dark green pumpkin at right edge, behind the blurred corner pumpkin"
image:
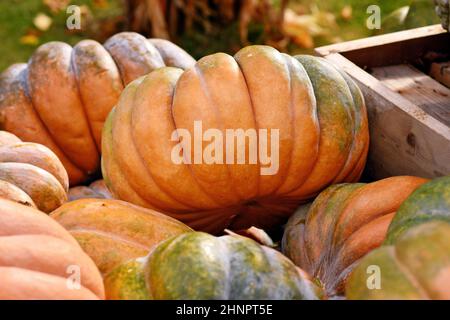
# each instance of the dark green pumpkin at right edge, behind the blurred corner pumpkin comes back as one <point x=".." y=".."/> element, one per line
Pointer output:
<point x="429" y="202"/>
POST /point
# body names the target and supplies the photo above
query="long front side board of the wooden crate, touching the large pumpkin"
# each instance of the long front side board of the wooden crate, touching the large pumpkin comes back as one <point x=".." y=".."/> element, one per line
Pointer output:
<point x="405" y="140"/>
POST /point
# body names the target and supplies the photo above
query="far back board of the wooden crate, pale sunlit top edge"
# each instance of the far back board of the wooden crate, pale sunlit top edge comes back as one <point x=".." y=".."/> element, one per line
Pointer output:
<point x="393" y="48"/>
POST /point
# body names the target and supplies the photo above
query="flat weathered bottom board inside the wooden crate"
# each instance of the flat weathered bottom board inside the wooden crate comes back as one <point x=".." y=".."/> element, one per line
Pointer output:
<point x="418" y="88"/>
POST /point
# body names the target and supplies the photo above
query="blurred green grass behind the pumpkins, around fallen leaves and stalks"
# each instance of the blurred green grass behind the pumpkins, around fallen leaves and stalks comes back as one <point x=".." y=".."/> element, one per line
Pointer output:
<point x="16" y="20"/>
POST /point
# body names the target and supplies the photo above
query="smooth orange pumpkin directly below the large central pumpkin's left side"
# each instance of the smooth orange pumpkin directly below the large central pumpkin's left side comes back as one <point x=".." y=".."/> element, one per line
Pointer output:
<point x="112" y="231"/>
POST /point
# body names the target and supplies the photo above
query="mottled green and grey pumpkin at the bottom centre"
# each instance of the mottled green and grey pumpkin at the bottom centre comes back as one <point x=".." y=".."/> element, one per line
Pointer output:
<point x="200" y="266"/>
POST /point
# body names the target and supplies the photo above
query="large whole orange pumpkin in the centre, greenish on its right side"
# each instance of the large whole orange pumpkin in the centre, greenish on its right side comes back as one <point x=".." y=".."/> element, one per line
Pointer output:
<point x="316" y="111"/>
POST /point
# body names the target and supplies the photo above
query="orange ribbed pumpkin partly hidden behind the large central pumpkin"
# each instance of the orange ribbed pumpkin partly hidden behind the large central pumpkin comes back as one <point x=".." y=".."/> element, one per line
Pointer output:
<point x="63" y="95"/>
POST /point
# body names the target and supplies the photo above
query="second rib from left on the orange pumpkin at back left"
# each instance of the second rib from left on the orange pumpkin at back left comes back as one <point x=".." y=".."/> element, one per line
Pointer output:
<point x="71" y="128"/>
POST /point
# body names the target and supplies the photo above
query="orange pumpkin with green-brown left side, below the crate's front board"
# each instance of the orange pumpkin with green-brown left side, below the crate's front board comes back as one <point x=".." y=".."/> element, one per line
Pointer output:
<point x="344" y="223"/>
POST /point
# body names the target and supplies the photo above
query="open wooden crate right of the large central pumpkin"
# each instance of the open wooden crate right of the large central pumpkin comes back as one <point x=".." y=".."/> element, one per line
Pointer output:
<point x="409" y="112"/>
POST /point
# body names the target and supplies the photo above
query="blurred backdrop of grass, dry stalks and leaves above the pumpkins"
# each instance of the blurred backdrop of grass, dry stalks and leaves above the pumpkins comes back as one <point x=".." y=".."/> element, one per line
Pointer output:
<point x="204" y="26"/>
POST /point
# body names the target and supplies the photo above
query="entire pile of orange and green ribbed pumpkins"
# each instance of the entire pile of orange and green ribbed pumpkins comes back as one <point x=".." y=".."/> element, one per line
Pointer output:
<point x="92" y="205"/>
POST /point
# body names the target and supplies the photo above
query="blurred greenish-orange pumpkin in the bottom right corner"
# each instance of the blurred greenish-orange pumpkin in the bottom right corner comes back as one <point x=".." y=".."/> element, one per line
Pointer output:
<point x="416" y="266"/>
